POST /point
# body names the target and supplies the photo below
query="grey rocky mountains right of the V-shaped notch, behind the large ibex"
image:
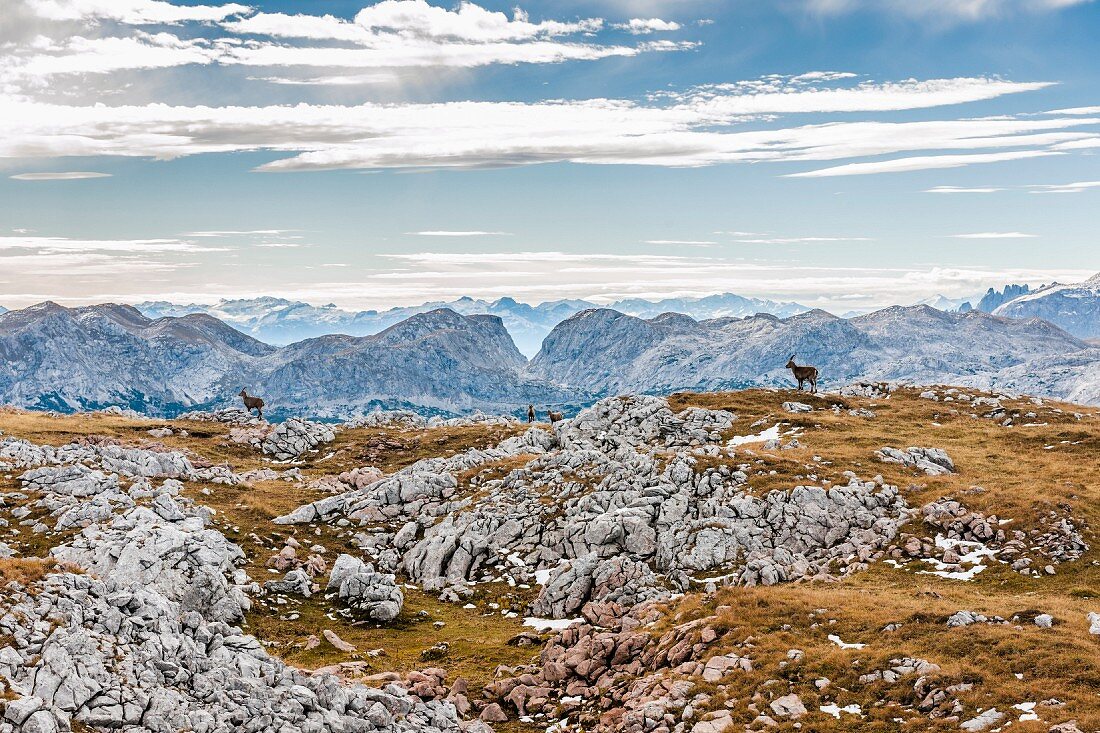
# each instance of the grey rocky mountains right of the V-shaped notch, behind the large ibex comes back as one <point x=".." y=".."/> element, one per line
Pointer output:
<point x="603" y="352"/>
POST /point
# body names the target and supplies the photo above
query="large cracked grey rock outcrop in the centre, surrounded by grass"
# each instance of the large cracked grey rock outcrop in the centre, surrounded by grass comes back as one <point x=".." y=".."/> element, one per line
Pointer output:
<point x="637" y="515"/>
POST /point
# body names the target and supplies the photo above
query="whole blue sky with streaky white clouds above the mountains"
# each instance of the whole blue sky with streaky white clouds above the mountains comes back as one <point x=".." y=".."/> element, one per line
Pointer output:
<point x="846" y="155"/>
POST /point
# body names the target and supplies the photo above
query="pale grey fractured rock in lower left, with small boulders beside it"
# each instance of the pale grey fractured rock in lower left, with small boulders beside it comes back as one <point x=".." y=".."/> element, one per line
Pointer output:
<point x="136" y="631"/>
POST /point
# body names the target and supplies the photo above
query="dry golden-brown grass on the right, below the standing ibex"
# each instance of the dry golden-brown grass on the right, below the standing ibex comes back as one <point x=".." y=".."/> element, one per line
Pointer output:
<point x="1022" y="478"/>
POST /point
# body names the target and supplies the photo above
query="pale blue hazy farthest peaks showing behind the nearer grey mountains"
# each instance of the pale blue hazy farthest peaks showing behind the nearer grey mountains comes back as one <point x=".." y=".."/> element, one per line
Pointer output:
<point x="281" y="322"/>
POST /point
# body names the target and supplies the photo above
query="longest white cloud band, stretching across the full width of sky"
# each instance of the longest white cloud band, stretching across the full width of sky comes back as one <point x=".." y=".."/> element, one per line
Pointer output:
<point x="699" y="132"/>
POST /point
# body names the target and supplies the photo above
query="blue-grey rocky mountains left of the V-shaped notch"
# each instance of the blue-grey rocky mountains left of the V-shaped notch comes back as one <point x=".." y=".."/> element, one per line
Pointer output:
<point x="86" y="358"/>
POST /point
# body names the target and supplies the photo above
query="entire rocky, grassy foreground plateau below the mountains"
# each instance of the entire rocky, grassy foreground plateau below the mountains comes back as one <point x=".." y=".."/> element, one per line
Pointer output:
<point x="873" y="560"/>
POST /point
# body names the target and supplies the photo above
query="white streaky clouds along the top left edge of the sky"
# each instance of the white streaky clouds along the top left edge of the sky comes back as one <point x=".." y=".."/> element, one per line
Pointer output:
<point x="391" y="35"/>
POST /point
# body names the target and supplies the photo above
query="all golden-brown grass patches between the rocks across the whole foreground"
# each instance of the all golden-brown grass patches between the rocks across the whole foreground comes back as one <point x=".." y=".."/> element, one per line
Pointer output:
<point x="1026" y="473"/>
